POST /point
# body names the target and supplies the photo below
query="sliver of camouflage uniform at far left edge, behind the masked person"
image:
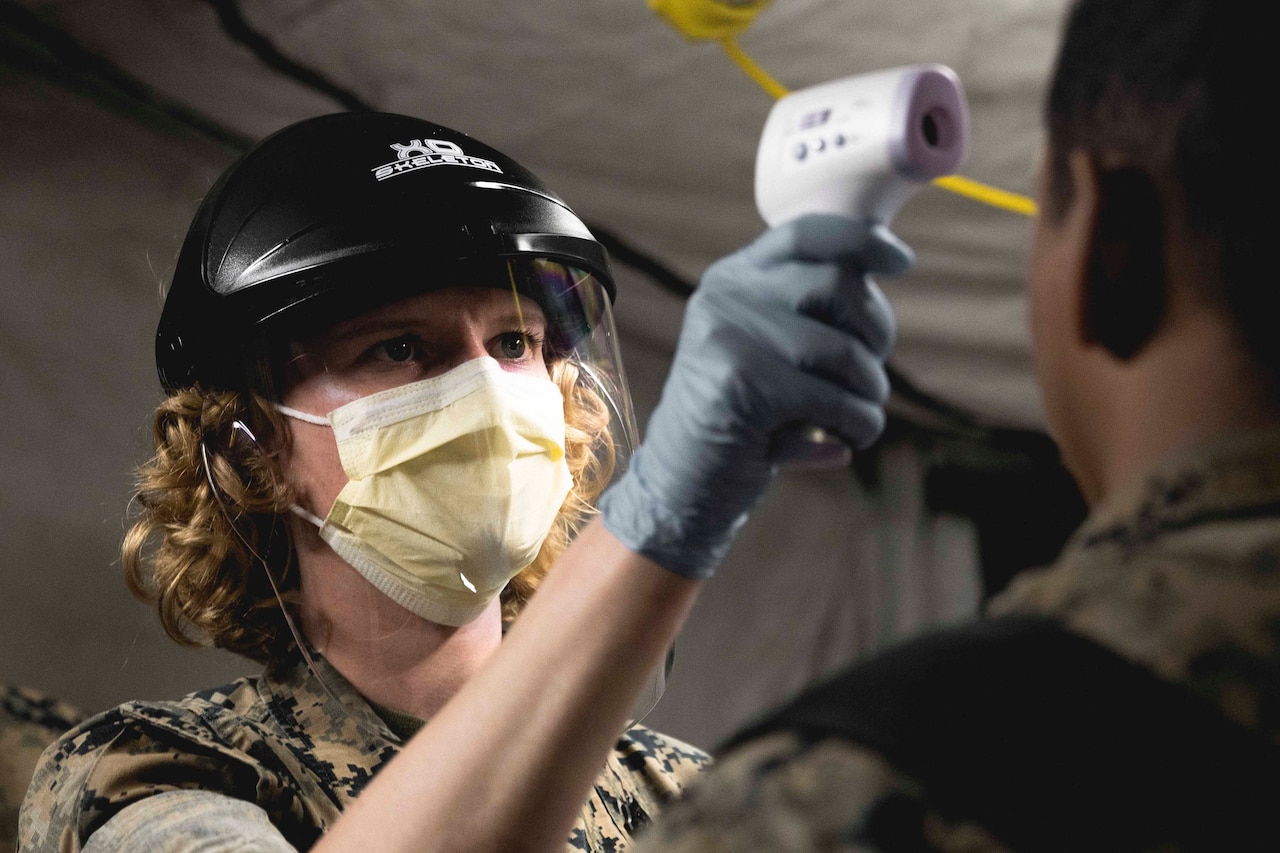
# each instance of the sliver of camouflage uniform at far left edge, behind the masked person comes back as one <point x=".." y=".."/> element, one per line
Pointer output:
<point x="29" y="723"/>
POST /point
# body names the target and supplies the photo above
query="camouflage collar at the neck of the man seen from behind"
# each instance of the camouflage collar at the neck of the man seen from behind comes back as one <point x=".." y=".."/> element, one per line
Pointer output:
<point x="1232" y="477"/>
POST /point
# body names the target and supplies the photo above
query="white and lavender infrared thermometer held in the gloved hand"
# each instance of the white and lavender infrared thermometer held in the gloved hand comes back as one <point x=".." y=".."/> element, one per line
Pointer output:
<point x="858" y="148"/>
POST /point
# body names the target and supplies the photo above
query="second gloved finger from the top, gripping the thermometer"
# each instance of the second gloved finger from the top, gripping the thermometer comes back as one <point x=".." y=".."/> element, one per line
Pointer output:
<point x="835" y="294"/>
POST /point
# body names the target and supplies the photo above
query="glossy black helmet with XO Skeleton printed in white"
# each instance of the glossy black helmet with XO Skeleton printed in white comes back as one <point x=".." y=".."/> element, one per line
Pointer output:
<point x="341" y="213"/>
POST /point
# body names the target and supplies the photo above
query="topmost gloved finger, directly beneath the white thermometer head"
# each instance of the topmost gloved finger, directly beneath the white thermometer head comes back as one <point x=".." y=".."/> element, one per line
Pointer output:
<point x="825" y="238"/>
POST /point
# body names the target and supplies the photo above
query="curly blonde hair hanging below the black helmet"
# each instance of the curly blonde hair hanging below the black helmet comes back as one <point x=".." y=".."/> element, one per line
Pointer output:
<point x="209" y="522"/>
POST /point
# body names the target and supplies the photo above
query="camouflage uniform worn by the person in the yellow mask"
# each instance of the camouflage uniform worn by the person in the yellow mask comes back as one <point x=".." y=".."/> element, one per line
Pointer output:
<point x="269" y="764"/>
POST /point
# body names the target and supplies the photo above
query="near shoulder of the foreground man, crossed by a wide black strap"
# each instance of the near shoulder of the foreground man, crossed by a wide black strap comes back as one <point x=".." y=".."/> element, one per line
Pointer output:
<point x="1007" y="728"/>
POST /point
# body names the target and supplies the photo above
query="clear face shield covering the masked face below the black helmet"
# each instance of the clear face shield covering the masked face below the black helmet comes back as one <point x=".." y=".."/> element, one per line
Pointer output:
<point x="447" y="448"/>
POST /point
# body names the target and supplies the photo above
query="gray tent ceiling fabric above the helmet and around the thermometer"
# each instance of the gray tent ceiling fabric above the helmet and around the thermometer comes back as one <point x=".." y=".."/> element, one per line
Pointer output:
<point x="647" y="134"/>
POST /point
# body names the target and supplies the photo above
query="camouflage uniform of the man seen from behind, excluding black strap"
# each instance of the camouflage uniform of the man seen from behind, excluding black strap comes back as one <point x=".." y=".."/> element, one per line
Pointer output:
<point x="1181" y="576"/>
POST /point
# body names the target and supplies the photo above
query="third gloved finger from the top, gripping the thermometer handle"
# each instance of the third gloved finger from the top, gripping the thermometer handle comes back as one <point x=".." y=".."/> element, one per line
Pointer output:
<point x="810" y="346"/>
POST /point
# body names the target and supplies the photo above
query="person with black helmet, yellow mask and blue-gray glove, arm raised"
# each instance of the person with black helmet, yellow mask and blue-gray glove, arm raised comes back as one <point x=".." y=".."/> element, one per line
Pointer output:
<point x="394" y="398"/>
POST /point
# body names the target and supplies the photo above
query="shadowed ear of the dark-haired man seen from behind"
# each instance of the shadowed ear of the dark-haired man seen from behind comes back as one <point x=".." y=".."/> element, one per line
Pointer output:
<point x="1124" y="289"/>
